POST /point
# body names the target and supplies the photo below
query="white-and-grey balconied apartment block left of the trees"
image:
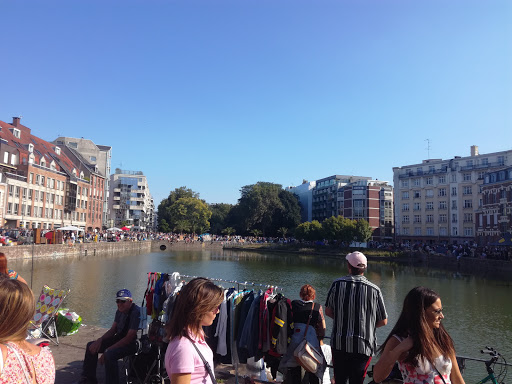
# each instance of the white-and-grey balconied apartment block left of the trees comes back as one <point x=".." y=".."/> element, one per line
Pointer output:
<point x="130" y="201"/>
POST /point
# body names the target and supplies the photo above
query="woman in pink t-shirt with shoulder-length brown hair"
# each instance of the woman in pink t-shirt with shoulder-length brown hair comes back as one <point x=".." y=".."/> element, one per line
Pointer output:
<point x="189" y="360"/>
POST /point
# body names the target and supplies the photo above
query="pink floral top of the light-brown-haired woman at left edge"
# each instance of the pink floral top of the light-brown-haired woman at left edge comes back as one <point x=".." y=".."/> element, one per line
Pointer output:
<point x="14" y="373"/>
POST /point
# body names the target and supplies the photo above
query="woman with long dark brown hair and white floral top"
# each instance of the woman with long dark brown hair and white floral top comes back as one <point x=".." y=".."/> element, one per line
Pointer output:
<point x="420" y="343"/>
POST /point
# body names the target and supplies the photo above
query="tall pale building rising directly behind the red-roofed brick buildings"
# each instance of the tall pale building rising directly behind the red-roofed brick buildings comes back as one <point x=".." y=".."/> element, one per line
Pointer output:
<point x="95" y="161"/>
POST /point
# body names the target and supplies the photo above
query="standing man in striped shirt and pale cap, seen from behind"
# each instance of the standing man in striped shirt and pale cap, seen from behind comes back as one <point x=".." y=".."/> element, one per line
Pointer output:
<point x="357" y="307"/>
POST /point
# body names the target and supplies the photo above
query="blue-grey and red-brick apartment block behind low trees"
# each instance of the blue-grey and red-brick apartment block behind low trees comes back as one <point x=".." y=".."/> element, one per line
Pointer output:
<point x="355" y="197"/>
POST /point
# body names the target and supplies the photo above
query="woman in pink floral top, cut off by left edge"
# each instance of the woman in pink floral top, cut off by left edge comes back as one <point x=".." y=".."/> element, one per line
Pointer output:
<point x="20" y="361"/>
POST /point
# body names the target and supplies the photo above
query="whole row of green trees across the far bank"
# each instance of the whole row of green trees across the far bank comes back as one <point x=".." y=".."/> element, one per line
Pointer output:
<point x="263" y="209"/>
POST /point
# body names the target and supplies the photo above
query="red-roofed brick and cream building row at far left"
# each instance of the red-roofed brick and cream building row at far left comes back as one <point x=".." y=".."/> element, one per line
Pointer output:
<point x="43" y="188"/>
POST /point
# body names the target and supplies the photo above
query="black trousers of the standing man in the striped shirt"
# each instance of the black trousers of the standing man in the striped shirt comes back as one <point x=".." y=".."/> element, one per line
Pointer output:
<point x="349" y="366"/>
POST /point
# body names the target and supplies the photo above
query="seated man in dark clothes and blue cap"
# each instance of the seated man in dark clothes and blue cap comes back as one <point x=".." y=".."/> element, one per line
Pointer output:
<point x="119" y="341"/>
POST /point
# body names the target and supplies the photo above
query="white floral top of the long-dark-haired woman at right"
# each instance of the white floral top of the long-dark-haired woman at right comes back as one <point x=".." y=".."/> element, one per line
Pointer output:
<point x="424" y="373"/>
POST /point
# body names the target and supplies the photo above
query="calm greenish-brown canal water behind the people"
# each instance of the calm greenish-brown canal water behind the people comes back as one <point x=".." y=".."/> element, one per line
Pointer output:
<point x="478" y="312"/>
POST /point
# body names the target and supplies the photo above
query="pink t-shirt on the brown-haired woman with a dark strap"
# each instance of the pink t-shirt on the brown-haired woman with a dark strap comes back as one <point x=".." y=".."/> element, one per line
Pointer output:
<point x="182" y="357"/>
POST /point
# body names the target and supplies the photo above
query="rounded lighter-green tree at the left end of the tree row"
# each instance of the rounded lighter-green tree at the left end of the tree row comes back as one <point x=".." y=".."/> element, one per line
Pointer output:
<point x="183" y="211"/>
